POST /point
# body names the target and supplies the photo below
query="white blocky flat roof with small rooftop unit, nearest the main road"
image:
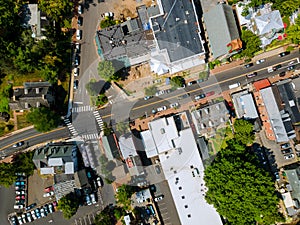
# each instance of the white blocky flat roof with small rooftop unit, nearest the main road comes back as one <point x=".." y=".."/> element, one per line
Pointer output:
<point x="163" y="131"/>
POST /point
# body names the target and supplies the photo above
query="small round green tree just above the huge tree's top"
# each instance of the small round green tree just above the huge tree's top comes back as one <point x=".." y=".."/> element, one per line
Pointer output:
<point x="243" y="131"/>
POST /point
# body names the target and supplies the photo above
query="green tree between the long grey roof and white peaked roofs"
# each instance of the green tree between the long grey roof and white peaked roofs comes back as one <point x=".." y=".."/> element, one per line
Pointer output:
<point x="251" y="43"/>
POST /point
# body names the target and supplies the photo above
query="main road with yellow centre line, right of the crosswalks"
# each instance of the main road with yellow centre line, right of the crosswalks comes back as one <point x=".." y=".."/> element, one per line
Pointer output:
<point x="122" y="110"/>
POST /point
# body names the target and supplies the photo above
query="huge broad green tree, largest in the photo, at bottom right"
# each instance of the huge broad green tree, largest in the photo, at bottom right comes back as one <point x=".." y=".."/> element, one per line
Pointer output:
<point x="239" y="189"/>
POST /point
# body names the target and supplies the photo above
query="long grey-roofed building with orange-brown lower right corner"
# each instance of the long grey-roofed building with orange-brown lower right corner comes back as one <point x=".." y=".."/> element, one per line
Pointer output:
<point x="223" y="36"/>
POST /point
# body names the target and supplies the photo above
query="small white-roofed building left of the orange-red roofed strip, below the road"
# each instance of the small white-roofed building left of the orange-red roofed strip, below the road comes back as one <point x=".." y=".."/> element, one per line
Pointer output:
<point x="244" y="105"/>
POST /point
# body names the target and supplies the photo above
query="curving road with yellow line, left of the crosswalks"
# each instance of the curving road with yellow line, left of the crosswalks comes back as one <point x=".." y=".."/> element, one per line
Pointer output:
<point x="31" y="137"/>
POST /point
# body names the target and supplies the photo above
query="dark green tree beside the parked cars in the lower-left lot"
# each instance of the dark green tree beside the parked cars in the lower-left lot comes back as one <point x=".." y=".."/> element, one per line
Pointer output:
<point x="68" y="205"/>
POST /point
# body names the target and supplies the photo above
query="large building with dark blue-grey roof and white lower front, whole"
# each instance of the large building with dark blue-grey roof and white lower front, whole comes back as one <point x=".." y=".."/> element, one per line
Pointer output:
<point x="177" y="37"/>
